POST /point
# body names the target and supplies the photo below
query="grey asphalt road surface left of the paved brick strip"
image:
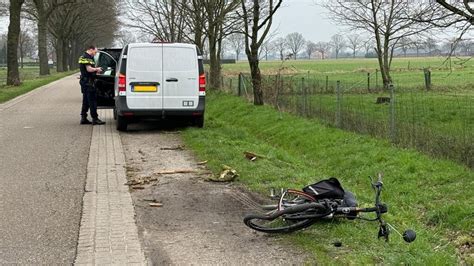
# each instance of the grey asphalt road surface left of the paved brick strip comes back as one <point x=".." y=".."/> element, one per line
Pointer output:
<point x="43" y="162"/>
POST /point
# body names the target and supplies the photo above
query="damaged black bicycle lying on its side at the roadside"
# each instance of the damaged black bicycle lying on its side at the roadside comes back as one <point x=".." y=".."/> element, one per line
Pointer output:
<point x="326" y="199"/>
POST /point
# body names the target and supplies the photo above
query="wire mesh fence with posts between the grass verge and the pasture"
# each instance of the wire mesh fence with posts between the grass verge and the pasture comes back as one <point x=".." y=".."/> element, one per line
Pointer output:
<point x="440" y="123"/>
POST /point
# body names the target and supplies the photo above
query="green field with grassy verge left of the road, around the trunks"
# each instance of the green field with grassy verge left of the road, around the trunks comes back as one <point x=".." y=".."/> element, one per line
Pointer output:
<point x="30" y="80"/>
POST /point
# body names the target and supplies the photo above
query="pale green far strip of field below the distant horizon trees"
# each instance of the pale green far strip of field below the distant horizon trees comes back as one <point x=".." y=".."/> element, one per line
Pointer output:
<point x="406" y="72"/>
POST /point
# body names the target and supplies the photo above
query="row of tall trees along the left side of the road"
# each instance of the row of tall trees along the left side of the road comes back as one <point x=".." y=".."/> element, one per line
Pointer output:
<point x="64" y="27"/>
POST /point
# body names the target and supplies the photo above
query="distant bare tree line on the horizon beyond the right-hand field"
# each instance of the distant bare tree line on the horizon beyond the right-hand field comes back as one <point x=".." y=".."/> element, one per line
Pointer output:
<point x="294" y="45"/>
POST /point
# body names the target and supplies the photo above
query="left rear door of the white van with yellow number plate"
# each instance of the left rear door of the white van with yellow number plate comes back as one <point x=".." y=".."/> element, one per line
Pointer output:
<point x="145" y="76"/>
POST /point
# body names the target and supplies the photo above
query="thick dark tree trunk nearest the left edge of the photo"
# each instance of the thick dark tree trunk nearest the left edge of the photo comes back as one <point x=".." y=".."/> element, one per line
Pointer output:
<point x="13" y="75"/>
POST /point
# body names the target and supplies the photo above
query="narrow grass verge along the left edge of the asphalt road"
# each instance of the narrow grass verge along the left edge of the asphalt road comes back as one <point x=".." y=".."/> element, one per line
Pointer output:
<point x="10" y="92"/>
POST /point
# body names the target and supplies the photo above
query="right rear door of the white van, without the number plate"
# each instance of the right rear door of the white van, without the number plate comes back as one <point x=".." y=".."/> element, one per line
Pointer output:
<point x="181" y="77"/>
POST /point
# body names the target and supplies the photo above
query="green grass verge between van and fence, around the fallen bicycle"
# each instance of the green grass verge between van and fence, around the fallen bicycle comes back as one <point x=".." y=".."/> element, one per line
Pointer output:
<point x="430" y="196"/>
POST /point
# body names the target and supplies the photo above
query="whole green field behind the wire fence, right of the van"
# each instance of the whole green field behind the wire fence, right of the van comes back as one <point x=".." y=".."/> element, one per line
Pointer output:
<point x="439" y="122"/>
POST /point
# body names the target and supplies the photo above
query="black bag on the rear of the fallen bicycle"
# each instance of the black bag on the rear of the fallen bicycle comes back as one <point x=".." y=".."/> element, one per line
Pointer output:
<point x="325" y="189"/>
